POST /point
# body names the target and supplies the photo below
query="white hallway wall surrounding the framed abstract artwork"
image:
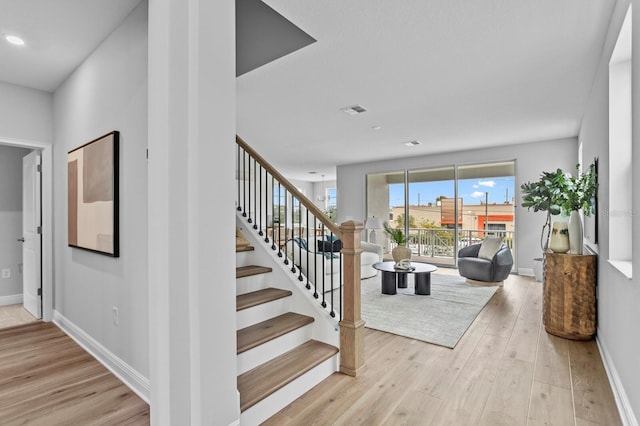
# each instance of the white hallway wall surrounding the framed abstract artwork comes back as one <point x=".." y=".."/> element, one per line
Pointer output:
<point x="107" y="92"/>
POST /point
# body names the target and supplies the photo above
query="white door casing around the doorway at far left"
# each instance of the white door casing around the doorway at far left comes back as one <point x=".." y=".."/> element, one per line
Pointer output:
<point x="47" y="218"/>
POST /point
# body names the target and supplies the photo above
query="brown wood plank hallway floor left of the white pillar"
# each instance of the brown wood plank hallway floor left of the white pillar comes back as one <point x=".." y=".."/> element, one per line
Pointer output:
<point x="48" y="379"/>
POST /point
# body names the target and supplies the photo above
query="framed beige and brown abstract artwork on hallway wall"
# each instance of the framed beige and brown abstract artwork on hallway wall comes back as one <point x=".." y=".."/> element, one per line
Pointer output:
<point x="92" y="188"/>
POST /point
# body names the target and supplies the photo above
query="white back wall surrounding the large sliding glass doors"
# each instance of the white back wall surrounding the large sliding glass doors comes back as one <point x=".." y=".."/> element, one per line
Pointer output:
<point x="531" y="160"/>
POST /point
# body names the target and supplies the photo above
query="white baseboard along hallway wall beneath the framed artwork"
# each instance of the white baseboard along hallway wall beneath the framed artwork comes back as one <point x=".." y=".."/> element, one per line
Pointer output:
<point x="123" y="371"/>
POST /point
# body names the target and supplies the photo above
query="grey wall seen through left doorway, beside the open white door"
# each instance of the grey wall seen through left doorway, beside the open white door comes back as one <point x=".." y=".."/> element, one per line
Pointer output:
<point x="11" y="218"/>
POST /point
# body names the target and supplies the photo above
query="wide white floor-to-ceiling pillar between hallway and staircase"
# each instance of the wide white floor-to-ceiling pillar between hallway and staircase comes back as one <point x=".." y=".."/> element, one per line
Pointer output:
<point x="191" y="204"/>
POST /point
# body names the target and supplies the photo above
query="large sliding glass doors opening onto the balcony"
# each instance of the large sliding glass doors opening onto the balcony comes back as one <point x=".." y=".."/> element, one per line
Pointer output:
<point x="442" y="209"/>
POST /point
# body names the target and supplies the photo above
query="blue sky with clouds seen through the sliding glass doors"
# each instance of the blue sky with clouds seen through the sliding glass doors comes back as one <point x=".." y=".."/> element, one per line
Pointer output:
<point x="472" y="191"/>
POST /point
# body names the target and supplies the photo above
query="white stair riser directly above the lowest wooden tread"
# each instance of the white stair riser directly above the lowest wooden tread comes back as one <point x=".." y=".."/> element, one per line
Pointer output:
<point x="273" y="348"/>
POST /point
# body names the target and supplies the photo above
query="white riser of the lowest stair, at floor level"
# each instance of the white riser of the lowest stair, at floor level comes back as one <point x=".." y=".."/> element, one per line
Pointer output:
<point x="281" y="398"/>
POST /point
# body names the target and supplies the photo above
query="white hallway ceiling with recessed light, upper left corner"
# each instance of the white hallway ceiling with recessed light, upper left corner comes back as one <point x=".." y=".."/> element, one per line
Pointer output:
<point x="59" y="35"/>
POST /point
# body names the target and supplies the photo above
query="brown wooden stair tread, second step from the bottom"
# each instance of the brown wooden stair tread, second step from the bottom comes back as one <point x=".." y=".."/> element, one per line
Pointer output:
<point x="257" y="334"/>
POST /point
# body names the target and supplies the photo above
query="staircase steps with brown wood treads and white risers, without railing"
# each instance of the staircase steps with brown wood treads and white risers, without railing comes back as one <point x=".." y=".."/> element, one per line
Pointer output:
<point x="279" y="356"/>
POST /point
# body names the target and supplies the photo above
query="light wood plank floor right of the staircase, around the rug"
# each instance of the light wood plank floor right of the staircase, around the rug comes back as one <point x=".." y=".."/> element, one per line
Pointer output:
<point x="506" y="370"/>
